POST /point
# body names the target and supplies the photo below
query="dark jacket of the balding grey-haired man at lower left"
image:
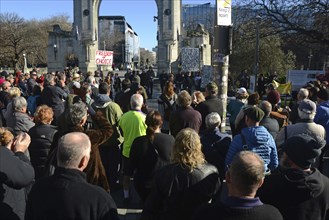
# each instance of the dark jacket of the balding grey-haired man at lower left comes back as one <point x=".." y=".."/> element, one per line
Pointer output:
<point x="67" y="195"/>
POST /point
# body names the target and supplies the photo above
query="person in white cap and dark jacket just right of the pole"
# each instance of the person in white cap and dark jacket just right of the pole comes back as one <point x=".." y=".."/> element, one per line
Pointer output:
<point x="235" y="106"/>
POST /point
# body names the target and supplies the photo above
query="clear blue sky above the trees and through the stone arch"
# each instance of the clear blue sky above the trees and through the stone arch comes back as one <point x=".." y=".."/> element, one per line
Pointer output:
<point x="138" y="13"/>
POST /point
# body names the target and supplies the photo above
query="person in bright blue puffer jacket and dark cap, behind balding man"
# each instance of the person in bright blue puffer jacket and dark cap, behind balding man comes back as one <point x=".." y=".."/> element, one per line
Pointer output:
<point x="254" y="138"/>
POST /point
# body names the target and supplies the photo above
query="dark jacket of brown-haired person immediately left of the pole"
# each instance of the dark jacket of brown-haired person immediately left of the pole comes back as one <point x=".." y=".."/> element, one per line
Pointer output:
<point x="212" y="104"/>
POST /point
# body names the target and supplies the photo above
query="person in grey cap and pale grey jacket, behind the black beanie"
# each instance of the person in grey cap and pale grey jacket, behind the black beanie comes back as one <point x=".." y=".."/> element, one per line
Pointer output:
<point x="306" y="124"/>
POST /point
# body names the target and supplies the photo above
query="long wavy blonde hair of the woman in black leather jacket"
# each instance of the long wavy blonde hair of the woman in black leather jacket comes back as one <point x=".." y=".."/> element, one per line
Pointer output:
<point x="187" y="149"/>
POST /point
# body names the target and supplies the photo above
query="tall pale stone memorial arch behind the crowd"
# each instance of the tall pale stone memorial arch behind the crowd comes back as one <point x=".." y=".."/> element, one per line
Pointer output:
<point x="82" y="42"/>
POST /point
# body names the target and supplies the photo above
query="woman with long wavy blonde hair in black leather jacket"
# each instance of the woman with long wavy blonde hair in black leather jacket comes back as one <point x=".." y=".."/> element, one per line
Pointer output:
<point x="179" y="188"/>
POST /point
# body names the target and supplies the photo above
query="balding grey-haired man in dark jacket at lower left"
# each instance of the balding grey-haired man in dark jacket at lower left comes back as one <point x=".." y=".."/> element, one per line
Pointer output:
<point x="66" y="194"/>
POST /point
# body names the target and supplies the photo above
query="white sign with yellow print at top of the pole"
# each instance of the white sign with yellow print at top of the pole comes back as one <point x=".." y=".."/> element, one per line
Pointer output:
<point x="224" y="12"/>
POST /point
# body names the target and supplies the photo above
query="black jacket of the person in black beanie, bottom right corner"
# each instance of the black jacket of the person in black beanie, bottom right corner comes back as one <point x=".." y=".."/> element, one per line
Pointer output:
<point x="298" y="195"/>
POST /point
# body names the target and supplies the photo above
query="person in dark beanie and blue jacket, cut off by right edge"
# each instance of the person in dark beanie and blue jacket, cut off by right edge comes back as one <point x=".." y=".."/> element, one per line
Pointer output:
<point x="322" y="110"/>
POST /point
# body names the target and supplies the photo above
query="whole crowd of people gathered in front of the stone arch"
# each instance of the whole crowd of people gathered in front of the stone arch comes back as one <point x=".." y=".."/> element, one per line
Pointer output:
<point x="70" y="139"/>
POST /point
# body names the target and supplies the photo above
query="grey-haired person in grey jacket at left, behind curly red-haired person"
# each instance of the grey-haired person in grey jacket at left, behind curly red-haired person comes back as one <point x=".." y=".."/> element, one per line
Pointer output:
<point x="20" y="121"/>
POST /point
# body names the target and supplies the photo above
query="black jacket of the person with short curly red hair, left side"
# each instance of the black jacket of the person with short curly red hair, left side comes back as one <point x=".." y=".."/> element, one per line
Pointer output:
<point x="41" y="139"/>
